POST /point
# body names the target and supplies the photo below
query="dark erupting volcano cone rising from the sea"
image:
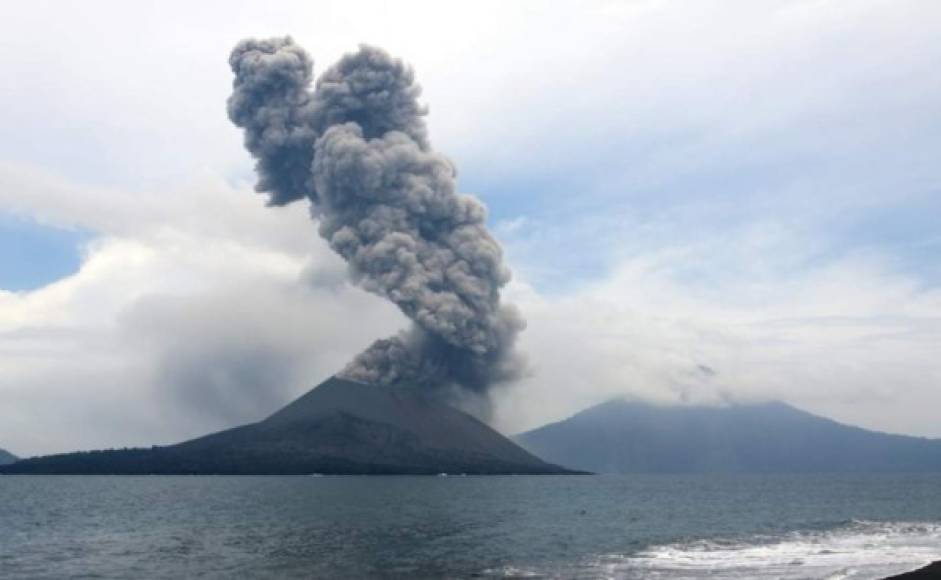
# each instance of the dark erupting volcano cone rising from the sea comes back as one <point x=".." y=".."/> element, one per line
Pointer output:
<point x="339" y="427"/>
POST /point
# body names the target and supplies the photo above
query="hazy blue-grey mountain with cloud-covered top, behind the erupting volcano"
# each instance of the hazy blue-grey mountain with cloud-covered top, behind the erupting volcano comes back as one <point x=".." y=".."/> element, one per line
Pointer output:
<point x="632" y="437"/>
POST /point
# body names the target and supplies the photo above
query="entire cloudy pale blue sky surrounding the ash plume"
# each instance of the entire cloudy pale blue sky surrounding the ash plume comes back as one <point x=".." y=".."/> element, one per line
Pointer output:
<point x="702" y="202"/>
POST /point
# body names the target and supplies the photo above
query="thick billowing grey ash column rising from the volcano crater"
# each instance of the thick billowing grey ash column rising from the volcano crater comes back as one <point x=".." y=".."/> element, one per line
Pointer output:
<point x="356" y="146"/>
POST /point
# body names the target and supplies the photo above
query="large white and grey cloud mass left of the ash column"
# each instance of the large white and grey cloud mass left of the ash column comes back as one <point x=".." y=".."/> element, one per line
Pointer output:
<point x="193" y="310"/>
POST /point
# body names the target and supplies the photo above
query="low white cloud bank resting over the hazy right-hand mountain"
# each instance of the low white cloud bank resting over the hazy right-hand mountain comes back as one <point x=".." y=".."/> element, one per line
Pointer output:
<point x="849" y="338"/>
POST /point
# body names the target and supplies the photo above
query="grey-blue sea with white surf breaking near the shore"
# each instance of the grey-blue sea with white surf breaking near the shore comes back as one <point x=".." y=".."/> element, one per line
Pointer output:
<point x="654" y="526"/>
